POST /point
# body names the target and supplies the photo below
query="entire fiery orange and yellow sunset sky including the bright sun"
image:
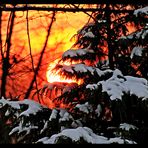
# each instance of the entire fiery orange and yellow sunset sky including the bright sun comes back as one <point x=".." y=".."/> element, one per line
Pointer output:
<point x="66" y="25"/>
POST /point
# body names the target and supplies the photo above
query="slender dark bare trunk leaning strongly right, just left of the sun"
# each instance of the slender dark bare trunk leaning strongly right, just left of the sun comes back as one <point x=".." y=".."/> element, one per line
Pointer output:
<point x="40" y="58"/>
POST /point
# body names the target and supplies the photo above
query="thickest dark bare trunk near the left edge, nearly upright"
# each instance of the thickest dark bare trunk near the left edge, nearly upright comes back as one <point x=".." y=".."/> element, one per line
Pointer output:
<point x="5" y="61"/>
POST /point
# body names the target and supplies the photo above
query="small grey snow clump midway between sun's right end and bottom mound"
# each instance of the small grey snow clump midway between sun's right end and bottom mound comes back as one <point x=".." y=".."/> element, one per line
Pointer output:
<point x="86" y="108"/>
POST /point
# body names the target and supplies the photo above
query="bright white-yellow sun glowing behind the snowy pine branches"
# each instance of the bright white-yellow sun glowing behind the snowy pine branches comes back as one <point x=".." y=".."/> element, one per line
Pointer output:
<point x="54" y="76"/>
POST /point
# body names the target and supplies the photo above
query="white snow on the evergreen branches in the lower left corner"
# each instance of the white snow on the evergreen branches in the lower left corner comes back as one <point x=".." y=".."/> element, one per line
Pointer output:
<point x="31" y="108"/>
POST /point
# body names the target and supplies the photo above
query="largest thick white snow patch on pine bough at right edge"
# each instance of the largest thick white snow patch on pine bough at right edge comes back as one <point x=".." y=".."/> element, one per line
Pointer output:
<point x="118" y="84"/>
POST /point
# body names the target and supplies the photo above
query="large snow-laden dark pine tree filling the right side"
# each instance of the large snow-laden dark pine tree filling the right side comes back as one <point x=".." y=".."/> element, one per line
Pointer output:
<point x="104" y="52"/>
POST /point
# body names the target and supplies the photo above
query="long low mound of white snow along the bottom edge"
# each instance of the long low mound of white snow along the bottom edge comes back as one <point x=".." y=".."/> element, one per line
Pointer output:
<point x="85" y="133"/>
